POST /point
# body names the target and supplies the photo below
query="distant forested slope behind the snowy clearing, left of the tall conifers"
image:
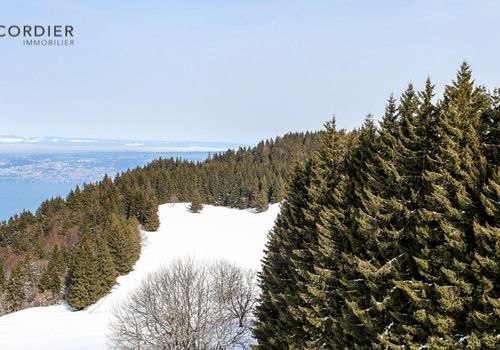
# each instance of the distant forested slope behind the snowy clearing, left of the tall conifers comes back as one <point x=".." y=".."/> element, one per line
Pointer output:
<point x="74" y="248"/>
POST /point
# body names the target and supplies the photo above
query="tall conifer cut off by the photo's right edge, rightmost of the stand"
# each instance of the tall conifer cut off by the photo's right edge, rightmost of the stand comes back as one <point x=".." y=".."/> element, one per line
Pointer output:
<point x="486" y="264"/>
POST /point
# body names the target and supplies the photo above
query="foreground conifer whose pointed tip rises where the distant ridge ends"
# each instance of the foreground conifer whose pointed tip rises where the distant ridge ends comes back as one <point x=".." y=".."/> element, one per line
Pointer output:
<point x="328" y="196"/>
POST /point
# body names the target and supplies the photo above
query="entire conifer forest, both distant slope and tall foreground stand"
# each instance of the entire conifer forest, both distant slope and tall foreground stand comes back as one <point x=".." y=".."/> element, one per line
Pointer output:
<point x="388" y="235"/>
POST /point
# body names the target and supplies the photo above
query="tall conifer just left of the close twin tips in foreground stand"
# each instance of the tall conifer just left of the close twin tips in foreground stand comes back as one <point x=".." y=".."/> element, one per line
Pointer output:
<point x="379" y="220"/>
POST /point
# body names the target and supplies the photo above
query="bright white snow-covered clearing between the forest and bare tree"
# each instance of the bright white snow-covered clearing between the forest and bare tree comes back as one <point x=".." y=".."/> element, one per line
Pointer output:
<point x="216" y="232"/>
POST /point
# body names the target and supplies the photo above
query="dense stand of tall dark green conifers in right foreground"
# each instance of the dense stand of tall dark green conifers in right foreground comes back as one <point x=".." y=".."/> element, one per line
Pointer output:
<point x="389" y="239"/>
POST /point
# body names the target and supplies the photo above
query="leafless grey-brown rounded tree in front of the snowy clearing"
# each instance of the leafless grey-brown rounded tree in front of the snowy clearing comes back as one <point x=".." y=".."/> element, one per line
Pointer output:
<point x="188" y="306"/>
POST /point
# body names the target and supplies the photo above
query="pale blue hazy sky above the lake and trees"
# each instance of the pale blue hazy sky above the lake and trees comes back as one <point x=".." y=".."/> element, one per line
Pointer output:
<point x="233" y="71"/>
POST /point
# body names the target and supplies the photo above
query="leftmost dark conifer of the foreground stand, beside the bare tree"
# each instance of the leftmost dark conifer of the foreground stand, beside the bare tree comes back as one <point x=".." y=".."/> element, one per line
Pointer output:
<point x="279" y="315"/>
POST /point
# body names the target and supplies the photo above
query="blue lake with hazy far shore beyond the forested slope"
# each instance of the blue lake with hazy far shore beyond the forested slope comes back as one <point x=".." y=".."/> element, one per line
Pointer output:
<point x="28" y="179"/>
